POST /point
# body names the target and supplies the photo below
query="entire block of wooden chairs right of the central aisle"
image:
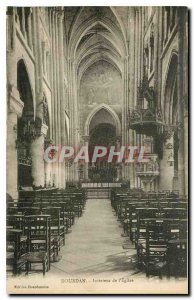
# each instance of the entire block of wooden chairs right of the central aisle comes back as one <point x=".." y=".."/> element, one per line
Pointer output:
<point x="157" y="225"/>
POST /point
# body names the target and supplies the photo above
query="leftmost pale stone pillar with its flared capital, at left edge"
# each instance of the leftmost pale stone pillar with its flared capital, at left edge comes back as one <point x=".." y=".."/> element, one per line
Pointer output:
<point x="15" y="108"/>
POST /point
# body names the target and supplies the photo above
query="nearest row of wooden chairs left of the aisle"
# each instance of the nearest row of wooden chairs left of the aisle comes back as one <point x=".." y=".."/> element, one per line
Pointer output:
<point x="32" y="244"/>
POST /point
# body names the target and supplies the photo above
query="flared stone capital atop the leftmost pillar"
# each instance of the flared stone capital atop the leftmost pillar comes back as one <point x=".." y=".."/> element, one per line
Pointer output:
<point x="15" y="105"/>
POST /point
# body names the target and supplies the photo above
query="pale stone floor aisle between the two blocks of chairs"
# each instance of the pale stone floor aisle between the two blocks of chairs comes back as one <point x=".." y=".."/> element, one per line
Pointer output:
<point x="94" y="247"/>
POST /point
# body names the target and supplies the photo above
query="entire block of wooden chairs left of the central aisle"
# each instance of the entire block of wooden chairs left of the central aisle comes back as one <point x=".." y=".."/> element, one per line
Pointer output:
<point x="36" y="229"/>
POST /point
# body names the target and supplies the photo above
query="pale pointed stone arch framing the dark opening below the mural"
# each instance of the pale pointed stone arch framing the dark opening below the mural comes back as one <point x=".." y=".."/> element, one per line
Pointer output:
<point x="110" y="111"/>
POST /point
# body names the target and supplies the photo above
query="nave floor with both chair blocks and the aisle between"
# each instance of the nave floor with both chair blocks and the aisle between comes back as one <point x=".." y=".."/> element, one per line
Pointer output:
<point x="131" y="235"/>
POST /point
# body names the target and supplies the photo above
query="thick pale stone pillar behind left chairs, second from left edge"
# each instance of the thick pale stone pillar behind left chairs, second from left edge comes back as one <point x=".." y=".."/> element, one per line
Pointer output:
<point x="37" y="153"/>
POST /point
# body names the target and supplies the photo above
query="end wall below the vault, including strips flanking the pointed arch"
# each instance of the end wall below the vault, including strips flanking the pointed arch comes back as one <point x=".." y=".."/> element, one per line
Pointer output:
<point x="100" y="84"/>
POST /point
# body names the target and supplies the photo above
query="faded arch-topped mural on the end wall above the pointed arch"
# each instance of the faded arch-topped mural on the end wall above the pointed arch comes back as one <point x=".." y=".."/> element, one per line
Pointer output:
<point x="101" y="84"/>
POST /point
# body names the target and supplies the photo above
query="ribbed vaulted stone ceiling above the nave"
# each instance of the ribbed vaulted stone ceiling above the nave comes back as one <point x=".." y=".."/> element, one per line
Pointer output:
<point x="96" y="33"/>
